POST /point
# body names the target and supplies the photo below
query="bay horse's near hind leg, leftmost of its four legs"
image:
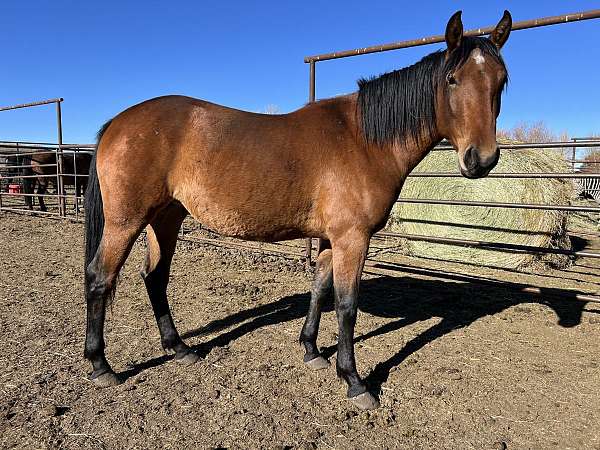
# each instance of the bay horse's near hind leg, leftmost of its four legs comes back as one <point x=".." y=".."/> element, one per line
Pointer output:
<point x="100" y="280"/>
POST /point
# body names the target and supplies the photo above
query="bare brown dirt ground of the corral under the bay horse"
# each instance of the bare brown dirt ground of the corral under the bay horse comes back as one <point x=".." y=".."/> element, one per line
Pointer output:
<point x="458" y="365"/>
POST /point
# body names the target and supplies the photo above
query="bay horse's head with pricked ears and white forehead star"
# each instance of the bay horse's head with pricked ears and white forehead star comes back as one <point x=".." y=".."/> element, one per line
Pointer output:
<point x="468" y="95"/>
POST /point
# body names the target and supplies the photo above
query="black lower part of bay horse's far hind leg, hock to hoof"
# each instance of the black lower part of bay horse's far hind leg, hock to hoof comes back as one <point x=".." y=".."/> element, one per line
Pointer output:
<point x="156" y="285"/>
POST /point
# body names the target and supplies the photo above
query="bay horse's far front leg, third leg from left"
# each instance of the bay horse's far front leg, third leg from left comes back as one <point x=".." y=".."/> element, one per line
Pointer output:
<point x="321" y="288"/>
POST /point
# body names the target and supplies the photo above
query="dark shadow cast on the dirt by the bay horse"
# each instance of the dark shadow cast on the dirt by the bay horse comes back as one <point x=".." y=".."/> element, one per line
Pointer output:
<point x="406" y="300"/>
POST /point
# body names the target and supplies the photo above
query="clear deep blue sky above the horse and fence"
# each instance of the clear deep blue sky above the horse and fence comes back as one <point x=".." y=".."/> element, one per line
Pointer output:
<point x="105" y="56"/>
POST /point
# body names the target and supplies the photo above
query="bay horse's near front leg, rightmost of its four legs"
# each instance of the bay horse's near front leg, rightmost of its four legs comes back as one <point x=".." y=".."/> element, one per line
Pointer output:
<point x="349" y="253"/>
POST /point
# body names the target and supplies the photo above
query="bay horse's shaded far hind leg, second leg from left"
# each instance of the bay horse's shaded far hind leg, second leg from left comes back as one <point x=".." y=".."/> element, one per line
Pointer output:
<point x="162" y="239"/>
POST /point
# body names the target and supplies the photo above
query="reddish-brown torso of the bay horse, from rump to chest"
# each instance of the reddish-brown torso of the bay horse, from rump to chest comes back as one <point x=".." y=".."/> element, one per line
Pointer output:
<point x="275" y="182"/>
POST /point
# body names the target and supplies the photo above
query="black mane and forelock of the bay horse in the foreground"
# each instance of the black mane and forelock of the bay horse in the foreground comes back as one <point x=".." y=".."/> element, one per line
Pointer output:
<point x="401" y="104"/>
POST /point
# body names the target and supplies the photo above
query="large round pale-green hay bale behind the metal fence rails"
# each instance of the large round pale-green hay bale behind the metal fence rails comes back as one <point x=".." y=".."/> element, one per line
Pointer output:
<point x="531" y="227"/>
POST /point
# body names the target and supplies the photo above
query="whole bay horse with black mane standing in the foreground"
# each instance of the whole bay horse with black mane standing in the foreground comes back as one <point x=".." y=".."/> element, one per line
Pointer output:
<point x="331" y="170"/>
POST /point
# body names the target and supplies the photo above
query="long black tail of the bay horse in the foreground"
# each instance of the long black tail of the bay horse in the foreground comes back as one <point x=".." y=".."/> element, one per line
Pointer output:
<point x="94" y="210"/>
